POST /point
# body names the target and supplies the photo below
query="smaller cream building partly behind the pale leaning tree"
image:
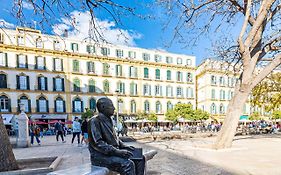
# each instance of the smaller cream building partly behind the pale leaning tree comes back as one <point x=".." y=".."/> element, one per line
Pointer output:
<point x="215" y="88"/>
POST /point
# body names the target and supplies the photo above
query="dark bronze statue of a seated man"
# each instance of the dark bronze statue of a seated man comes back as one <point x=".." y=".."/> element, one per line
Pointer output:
<point x="105" y="148"/>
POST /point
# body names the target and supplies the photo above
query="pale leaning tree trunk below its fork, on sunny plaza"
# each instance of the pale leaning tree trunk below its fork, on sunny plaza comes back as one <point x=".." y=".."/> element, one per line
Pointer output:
<point x="234" y="111"/>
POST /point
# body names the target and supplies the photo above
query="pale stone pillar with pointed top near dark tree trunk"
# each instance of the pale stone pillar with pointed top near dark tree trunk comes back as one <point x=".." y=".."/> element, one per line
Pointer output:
<point x="23" y="136"/>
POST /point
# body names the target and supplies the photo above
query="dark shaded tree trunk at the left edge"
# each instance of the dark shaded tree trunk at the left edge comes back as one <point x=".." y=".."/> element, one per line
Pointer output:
<point x="7" y="158"/>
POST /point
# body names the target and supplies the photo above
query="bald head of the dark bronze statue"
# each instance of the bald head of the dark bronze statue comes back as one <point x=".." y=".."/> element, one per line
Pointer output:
<point x="105" y="106"/>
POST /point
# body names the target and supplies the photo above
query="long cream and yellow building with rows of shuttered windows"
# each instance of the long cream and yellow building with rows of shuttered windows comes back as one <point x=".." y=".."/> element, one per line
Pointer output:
<point x="57" y="77"/>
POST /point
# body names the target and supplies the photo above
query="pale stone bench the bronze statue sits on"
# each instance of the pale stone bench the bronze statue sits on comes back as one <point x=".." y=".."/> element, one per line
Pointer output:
<point x="89" y="169"/>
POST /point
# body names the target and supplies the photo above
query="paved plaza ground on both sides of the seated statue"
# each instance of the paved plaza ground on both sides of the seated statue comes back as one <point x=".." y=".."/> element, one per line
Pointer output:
<point x="249" y="155"/>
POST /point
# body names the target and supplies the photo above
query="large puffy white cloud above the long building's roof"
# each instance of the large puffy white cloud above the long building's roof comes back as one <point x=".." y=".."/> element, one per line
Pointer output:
<point x="78" y="28"/>
